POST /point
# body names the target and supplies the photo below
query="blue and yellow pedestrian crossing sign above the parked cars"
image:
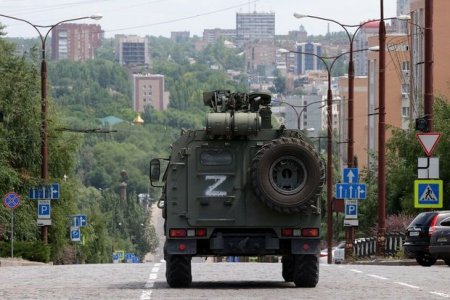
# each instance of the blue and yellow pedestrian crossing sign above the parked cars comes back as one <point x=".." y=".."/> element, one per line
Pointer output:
<point x="428" y="193"/>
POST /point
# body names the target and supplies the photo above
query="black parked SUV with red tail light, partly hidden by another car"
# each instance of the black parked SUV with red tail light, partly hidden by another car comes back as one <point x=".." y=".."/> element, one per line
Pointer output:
<point x="417" y="241"/>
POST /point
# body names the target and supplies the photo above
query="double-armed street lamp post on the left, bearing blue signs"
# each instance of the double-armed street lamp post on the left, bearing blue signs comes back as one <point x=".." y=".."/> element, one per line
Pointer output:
<point x="44" y="123"/>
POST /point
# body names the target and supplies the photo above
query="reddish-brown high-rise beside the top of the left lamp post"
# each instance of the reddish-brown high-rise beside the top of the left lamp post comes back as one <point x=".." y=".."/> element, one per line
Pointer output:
<point x="76" y="42"/>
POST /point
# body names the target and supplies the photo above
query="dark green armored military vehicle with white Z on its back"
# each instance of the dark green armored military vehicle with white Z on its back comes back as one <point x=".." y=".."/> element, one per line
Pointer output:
<point x="241" y="188"/>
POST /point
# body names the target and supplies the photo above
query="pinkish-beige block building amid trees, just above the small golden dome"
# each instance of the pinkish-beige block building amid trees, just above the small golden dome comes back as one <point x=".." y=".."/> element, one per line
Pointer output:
<point x="149" y="90"/>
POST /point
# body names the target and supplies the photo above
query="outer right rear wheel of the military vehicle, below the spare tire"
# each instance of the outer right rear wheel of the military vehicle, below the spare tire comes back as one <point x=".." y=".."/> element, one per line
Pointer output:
<point x="306" y="270"/>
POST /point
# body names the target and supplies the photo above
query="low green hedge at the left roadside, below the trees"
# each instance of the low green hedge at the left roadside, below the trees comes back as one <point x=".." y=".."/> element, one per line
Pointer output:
<point x="34" y="251"/>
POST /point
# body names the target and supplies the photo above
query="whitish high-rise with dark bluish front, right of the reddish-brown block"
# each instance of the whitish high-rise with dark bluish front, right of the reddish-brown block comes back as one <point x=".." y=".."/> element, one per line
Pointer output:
<point x="132" y="50"/>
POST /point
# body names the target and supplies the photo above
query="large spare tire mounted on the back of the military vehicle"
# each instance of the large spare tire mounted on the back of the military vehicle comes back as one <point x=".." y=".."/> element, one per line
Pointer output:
<point x="287" y="174"/>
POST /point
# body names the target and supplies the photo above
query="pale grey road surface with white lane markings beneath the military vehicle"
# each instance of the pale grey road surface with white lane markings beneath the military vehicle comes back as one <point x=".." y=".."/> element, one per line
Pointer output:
<point x="221" y="281"/>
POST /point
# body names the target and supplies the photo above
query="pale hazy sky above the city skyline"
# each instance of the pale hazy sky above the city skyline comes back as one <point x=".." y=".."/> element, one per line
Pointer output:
<point x="160" y="17"/>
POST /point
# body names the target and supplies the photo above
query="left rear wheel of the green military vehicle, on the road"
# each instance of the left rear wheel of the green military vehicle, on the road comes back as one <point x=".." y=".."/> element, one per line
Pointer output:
<point x="178" y="270"/>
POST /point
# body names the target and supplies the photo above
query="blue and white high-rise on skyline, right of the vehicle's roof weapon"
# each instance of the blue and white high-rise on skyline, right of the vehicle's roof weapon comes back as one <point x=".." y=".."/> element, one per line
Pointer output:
<point x="307" y="59"/>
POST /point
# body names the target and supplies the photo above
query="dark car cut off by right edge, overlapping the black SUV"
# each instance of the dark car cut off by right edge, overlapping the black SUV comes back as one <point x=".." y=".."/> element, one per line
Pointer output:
<point x="440" y="241"/>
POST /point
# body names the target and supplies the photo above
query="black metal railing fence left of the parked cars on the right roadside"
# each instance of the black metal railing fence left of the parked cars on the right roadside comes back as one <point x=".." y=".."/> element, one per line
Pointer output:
<point x="364" y="247"/>
